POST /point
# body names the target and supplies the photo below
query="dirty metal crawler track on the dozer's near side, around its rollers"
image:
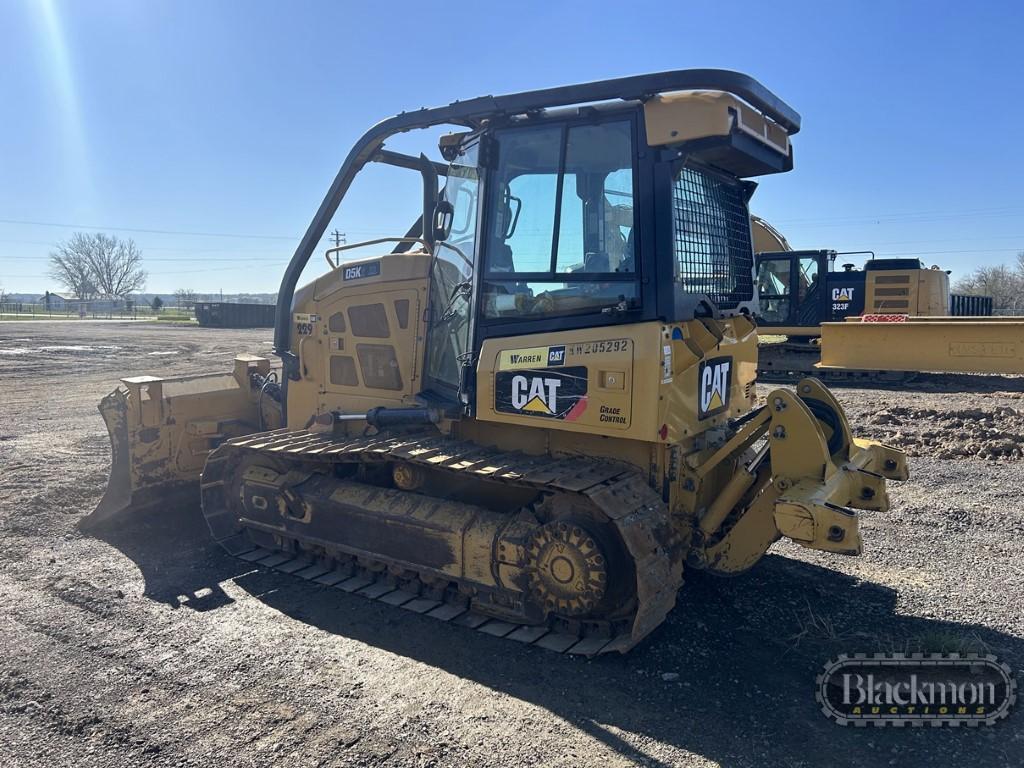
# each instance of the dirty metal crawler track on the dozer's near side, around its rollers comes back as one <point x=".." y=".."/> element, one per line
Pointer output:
<point x="623" y="497"/>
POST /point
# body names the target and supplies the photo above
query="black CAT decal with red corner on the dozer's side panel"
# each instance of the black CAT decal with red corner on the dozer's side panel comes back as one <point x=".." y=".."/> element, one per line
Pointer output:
<point x="553" y="394"/>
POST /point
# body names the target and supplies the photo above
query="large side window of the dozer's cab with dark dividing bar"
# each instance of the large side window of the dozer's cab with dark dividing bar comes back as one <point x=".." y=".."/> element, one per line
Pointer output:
<point x="561" y="239"/>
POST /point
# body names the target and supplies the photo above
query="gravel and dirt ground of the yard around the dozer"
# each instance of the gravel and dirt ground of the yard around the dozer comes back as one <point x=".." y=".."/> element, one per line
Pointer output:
<point x="145" y="645"/>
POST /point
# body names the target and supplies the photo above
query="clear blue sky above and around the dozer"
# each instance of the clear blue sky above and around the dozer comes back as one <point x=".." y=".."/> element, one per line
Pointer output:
<point x="203" y="122"/>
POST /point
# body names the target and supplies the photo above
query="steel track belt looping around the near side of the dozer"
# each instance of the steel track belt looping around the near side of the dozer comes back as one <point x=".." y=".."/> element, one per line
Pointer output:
<point x="637" y="513"/>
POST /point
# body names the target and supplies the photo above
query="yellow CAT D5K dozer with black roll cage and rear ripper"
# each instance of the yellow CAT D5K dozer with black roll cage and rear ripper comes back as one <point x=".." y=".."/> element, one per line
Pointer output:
<point x="528" y="414"/>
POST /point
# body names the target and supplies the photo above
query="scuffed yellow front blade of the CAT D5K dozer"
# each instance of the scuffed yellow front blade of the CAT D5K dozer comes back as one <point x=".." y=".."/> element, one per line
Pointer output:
<point x="162" y="430"/>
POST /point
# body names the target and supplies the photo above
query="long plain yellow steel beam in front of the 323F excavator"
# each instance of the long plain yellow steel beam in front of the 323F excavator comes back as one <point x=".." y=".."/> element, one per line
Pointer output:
<point x="969" y="346"/>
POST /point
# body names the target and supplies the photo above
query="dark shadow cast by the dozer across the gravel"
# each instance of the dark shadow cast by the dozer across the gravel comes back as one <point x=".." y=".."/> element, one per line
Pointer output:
<point x="746" y="652"/>
